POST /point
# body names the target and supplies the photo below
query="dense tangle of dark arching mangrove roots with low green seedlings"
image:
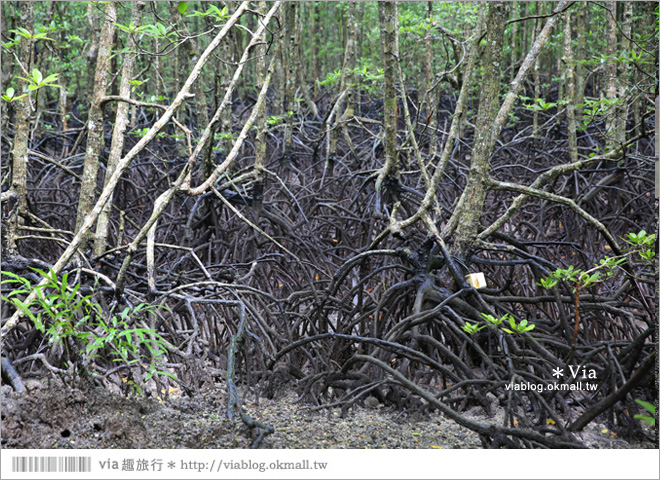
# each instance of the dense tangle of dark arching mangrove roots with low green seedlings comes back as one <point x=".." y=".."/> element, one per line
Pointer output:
<point x="293" y="276"/>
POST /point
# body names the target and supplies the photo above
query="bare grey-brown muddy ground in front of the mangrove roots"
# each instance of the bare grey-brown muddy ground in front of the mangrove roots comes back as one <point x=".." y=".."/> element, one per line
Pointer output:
<point x="55" y="416"/>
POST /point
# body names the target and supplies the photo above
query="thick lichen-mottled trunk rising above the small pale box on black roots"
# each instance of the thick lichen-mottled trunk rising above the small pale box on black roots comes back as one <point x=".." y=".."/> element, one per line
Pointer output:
<point x="472" y="201"/>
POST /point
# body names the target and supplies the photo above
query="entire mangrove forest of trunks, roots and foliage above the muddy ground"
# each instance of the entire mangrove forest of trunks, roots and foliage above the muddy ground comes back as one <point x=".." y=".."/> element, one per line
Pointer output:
<point x="421" y="202"/>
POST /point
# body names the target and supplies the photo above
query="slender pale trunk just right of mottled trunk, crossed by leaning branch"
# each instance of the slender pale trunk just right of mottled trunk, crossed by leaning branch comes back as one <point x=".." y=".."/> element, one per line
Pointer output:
<point x="121" y="123"/>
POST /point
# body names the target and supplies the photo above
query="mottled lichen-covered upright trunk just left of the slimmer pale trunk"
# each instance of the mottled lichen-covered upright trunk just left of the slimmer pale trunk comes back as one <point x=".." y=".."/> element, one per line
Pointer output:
<point x="95" y="137"/>
